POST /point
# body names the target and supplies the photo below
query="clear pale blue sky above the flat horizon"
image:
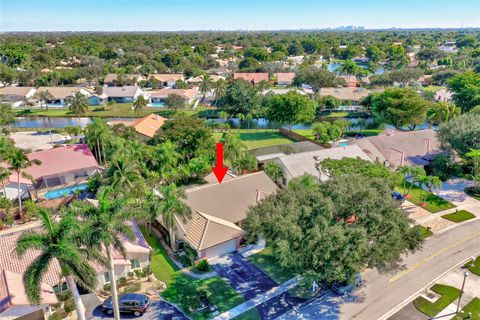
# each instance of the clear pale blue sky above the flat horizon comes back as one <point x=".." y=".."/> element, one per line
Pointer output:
<point x="162" y="15"/>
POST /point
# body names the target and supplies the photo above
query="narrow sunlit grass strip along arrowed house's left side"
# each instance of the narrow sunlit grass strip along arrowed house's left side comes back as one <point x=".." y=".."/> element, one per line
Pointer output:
<point x="163" y="268"/>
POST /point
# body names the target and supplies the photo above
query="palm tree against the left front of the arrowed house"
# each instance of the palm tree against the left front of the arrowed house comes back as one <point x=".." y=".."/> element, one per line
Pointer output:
<point x="171" y="206"/>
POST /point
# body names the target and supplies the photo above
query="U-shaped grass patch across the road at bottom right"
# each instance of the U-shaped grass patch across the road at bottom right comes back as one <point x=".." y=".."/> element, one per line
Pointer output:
<point x="448" y="295"/>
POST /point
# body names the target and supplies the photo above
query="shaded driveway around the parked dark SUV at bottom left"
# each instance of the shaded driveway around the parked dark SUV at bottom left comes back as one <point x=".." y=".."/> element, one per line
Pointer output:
<point x="158" y="310"/>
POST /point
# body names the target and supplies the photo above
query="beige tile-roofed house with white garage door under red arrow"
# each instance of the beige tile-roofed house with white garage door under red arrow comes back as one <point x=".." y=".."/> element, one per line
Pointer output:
<point x="219" y="211"/>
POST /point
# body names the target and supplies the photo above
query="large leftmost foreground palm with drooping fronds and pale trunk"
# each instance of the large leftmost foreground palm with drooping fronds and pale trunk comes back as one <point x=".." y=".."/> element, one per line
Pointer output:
<point x="56" y="242"/>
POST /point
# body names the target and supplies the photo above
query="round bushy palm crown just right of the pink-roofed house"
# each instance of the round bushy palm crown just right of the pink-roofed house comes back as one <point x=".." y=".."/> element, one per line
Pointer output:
<point x="123" y="175"/>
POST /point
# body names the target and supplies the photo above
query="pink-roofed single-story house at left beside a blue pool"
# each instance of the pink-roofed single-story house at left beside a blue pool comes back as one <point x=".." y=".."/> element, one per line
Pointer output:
<point x="63" y="166"/>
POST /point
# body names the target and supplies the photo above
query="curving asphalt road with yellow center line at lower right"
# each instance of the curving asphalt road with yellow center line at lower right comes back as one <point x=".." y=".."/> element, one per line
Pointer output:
<point x="381" y="294"/>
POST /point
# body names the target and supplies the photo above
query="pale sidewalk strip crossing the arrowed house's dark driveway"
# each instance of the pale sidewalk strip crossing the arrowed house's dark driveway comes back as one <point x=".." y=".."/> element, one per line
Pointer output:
<point x="250" y="304"/>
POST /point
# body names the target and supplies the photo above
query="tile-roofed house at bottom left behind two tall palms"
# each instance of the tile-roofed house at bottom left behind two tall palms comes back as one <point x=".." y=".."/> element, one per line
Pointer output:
<point x="13" y="298"/>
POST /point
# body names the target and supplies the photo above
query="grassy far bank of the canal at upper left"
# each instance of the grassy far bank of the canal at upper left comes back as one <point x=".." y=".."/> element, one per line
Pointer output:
<point x="117" y="110"/>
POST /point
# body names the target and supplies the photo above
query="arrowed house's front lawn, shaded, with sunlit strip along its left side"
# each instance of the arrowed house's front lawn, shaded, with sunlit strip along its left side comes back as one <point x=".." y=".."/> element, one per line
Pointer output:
<point x="181" y="288"/>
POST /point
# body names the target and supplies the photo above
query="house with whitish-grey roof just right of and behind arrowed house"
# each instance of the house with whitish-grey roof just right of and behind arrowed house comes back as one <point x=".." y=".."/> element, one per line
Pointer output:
<point x="298" y="164"/>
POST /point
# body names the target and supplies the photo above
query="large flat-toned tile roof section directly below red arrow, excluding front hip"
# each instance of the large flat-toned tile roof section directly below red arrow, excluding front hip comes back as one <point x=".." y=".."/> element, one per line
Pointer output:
<point x="231" y="199"/>
